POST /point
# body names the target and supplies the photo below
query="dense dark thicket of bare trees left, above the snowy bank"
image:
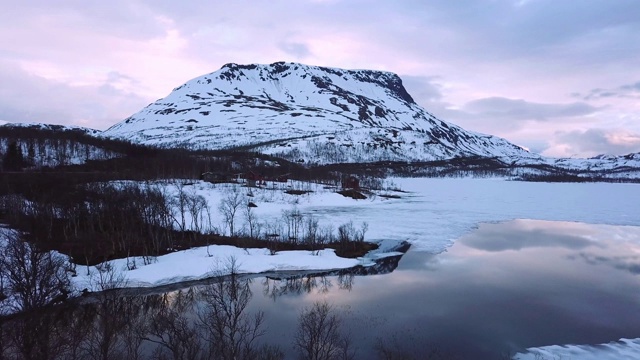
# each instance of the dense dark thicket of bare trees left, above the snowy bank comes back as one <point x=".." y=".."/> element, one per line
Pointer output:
<point x="95" y="222"/>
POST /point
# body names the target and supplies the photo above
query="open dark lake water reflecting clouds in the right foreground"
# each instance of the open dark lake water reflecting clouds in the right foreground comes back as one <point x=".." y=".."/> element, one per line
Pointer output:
<point x="500" y="289"/>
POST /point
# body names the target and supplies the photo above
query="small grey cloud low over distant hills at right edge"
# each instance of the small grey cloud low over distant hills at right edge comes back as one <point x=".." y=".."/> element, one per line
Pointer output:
<point x="600" y="141"/>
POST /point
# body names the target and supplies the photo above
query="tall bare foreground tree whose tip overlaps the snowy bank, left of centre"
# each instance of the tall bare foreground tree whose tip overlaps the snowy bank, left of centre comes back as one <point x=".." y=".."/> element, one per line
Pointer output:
<point x="228" y="330"/>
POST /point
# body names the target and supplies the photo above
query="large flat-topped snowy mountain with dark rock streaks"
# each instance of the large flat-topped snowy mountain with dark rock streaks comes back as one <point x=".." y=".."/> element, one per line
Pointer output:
<point x="306" y="113"/>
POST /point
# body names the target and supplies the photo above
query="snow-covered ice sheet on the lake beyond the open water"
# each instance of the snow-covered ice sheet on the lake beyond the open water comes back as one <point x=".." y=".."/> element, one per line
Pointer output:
<point x="433" y="213"/>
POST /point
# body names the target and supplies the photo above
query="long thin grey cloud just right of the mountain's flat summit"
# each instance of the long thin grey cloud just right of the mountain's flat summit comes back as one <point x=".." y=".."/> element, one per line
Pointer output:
<point x="517" y="109"/>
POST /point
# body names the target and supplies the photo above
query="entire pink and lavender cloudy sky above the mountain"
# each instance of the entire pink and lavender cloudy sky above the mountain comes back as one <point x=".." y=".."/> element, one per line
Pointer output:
<point x="559" y="77"/>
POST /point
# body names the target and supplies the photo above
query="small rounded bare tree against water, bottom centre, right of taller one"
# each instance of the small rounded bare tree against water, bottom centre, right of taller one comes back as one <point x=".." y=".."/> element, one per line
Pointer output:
<point x="319" y="335"/>
